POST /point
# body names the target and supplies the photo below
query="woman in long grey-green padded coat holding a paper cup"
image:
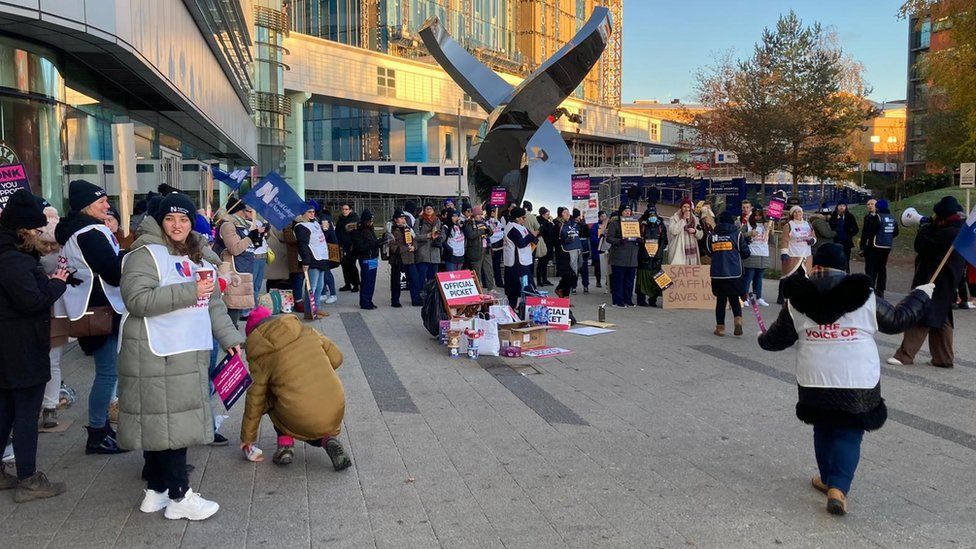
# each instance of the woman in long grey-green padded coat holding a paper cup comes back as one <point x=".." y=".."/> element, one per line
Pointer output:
<point x="174" y="312"/>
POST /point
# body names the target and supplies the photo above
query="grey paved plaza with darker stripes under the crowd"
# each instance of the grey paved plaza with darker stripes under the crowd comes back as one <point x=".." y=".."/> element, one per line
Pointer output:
<point x="657" y="435"/>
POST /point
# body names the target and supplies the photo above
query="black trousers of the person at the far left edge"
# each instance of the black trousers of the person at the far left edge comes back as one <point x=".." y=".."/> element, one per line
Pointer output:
<point x="19" y="409"/>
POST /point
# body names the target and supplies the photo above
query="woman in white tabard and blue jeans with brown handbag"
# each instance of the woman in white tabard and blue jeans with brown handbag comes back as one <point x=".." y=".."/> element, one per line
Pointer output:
<point x="92" y="254"/>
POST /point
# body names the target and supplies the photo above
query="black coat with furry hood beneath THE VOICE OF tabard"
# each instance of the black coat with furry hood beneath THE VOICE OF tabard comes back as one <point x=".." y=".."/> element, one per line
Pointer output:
<point x="824" y="298"/>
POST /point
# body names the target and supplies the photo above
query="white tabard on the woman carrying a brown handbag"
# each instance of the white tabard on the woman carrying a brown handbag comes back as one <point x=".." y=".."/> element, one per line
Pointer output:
<point x="74" y="302"/>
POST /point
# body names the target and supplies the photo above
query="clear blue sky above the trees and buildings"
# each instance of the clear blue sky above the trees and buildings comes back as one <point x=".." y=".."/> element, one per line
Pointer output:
<point x="666" y="41"/>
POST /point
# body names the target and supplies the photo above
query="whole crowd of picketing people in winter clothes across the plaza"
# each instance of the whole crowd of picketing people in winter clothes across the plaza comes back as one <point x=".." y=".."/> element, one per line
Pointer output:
<point x="156" y="311"/>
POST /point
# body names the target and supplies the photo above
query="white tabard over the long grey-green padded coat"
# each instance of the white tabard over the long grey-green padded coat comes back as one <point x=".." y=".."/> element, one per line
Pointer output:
<point x="183" y="330"/>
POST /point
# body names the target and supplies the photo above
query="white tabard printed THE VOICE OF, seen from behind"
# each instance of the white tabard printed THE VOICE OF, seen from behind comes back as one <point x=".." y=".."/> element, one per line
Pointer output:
<point x="841" y="355"/>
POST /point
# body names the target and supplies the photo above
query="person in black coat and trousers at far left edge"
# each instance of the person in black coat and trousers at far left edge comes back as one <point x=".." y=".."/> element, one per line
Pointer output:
<point x="26" y="297"/>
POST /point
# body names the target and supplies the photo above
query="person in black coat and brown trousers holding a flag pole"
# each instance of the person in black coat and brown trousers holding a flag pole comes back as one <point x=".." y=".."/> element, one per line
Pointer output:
<point x="931" y="244"/>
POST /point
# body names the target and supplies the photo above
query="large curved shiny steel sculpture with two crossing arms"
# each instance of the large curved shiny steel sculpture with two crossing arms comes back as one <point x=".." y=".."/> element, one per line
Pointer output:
<point x="518" y="146"/>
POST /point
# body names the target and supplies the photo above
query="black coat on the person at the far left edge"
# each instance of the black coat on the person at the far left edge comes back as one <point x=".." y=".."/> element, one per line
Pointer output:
<point x="26" y="297"/>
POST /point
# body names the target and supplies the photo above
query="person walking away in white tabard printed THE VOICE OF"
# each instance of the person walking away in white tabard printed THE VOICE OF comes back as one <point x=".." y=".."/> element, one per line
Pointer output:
<point x="832" y="317"/>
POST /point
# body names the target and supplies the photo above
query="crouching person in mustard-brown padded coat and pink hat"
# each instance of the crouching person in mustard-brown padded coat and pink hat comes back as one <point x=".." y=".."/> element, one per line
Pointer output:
<point x="293" y="368"/>
